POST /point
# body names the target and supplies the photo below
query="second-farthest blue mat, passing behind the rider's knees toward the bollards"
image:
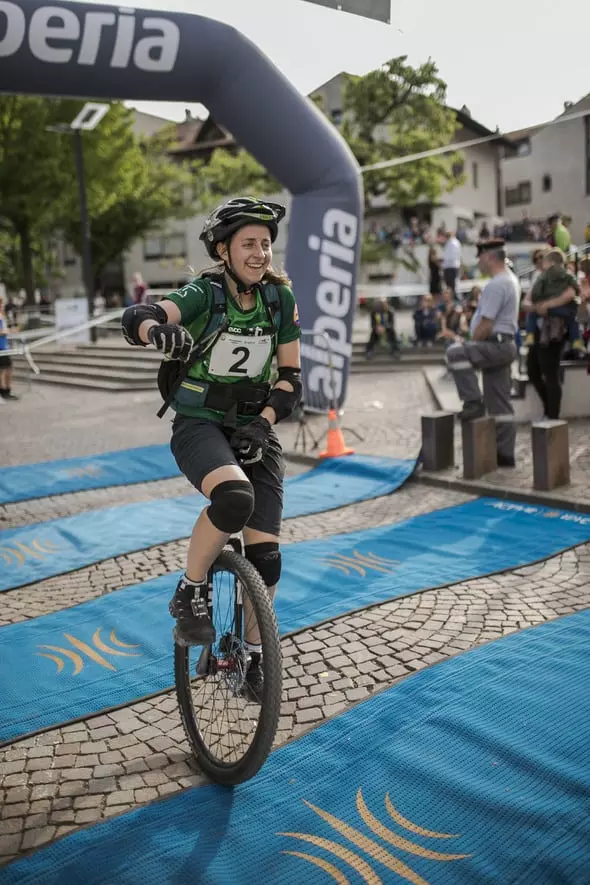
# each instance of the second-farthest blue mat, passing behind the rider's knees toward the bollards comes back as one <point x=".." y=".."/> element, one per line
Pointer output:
<point x="52" y="548"/>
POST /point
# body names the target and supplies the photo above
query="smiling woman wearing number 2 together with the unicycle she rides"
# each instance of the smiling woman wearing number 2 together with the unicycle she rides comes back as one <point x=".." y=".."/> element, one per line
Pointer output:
<point x="219" y="335"/>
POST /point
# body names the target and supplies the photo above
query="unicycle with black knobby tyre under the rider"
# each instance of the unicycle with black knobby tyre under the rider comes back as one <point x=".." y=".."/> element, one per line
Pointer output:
<point x="229" y="731"/>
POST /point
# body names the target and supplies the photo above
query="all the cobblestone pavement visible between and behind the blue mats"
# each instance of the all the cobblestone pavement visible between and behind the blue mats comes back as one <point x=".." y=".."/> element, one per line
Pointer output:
<point x="84" y="772"/>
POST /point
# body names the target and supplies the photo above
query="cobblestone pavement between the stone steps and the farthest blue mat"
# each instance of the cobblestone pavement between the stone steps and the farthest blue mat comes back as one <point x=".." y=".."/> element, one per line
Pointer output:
<point x="77" y="423"/>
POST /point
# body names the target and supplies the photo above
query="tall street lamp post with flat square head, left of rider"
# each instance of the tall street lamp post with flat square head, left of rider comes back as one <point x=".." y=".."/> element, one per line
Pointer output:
<point x="88" y="118"/>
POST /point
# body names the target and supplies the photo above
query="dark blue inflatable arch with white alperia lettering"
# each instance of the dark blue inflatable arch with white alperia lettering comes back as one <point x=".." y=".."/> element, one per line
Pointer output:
<point x="86" y="50"/>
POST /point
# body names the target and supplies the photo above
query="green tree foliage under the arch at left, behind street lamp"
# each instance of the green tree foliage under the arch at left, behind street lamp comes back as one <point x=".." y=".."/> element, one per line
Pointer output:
<point x="132" y="187"/>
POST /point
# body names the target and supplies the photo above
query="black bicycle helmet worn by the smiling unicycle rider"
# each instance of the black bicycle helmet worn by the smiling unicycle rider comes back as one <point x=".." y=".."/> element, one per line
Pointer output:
<point x="228" y="218"/>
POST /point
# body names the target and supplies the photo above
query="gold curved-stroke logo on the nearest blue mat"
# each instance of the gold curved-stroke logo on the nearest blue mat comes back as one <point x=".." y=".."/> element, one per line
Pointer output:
<point x="375" y="850"/>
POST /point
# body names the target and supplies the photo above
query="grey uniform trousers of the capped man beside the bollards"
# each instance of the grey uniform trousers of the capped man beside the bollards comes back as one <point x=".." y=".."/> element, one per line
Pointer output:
<point x="494" y="359"/>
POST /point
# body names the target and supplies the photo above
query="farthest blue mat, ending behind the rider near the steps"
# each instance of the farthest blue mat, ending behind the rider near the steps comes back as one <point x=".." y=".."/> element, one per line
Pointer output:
<point x="79" y="474"/>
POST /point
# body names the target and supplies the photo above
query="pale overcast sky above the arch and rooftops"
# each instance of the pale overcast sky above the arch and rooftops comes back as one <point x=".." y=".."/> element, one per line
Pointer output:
<point x="513" y="63"/>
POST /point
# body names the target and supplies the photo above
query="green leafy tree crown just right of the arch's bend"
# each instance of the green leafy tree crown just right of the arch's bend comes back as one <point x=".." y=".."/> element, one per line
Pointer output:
<point x="394" y="111"/>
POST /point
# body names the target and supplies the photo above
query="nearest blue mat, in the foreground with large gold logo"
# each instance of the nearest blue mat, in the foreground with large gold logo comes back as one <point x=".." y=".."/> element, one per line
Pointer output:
<point x="475" y="770"/>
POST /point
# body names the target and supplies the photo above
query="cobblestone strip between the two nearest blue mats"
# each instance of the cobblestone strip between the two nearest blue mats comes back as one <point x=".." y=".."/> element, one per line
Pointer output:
<point x="84" y="772"/>
